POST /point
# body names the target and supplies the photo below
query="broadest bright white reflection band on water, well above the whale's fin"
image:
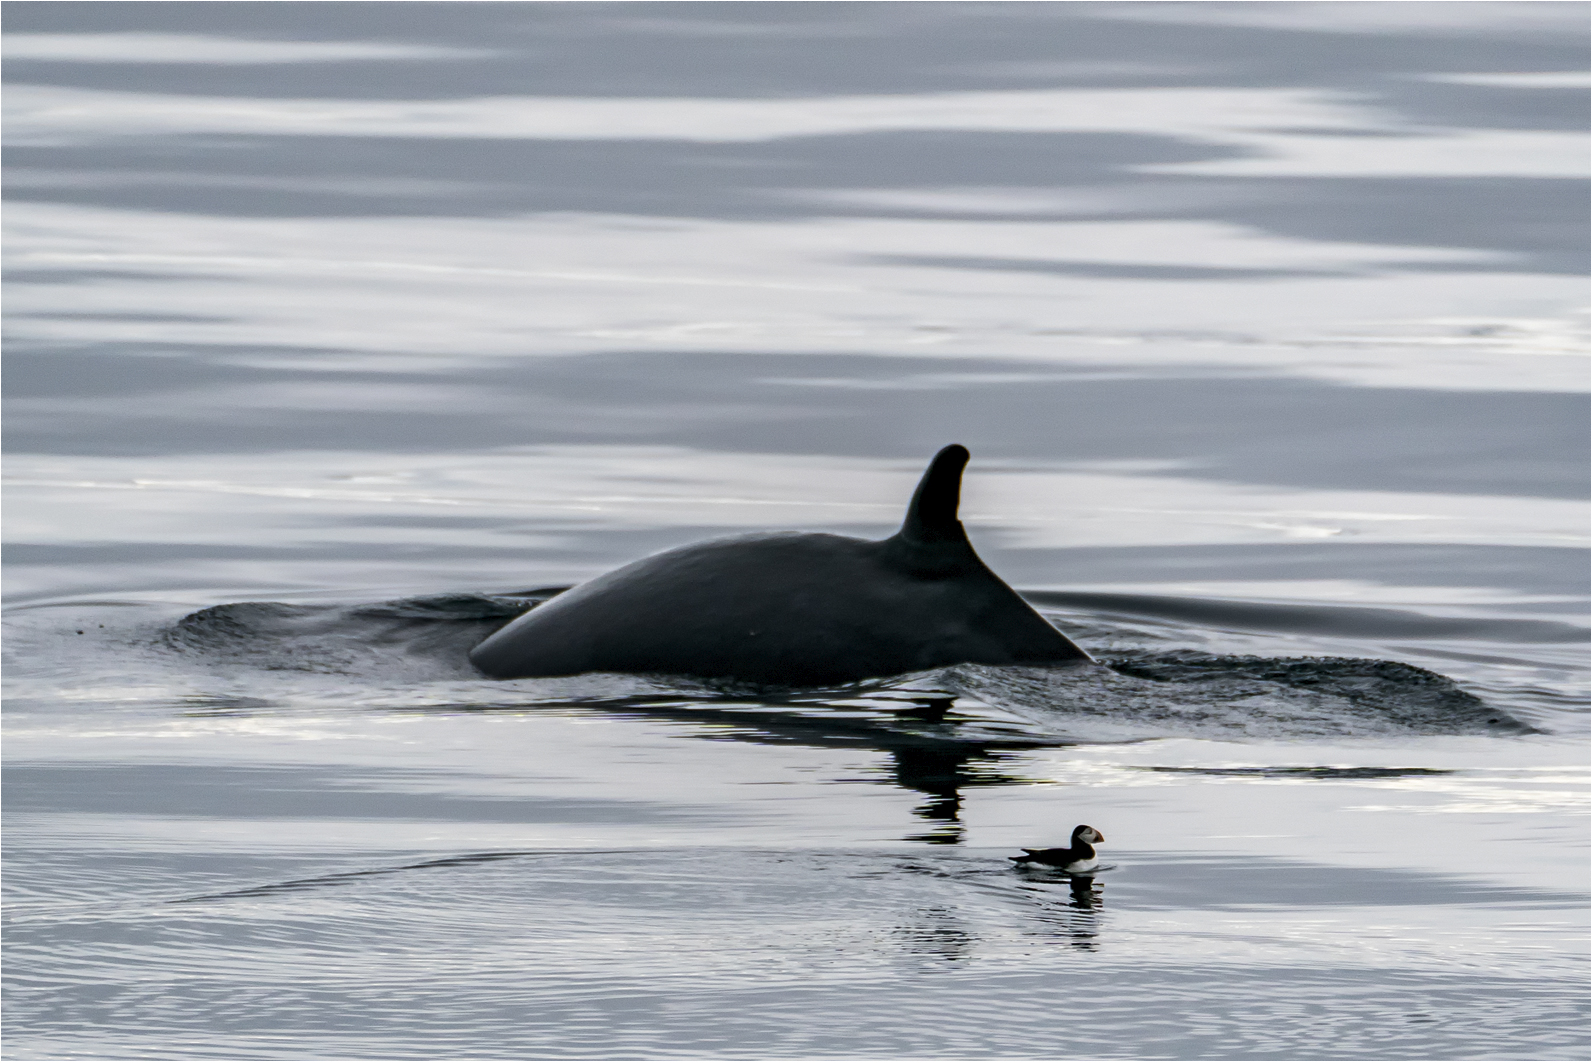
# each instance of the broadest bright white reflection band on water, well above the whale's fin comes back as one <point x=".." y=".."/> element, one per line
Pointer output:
<point x="555" y="284"/>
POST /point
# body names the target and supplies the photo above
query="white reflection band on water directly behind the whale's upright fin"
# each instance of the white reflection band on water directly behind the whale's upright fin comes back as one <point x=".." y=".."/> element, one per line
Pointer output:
<point x="659" y="487"/>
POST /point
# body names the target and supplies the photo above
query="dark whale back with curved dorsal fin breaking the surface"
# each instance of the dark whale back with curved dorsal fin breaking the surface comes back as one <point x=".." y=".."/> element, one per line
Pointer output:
<point x="793" y="610"/>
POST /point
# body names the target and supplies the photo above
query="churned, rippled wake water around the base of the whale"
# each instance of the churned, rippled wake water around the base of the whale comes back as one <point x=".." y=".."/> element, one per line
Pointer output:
<point x="1133" y="694"/>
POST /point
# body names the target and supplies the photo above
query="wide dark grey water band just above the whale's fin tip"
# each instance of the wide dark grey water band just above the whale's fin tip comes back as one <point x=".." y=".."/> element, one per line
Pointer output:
<point x="1210" y="426"/>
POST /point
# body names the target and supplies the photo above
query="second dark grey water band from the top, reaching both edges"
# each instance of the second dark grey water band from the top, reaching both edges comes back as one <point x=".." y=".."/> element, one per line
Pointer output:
<point x="1532" y="222"/>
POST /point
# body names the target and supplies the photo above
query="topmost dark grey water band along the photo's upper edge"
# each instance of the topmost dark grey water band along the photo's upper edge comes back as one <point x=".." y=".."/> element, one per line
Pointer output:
<point x="770" y="52"/>
